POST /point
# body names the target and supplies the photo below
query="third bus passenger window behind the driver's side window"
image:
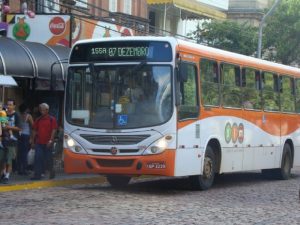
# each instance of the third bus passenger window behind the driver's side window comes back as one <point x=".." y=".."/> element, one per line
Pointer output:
<point x="251" y="89"/>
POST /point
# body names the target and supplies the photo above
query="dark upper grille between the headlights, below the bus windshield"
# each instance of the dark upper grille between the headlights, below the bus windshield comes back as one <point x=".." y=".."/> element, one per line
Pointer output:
<point x="114" y="139"/>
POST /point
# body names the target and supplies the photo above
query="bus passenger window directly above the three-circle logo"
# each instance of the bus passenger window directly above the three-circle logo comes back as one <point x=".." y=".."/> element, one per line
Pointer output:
<point x="231" y="85"/>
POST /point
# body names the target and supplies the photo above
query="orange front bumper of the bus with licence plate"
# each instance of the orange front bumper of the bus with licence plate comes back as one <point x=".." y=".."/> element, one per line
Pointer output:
<point x="160" y="164"/>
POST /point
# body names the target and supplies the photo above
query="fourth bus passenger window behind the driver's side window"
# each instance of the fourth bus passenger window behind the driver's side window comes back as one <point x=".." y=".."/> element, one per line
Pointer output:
<point x="270" y="91"/>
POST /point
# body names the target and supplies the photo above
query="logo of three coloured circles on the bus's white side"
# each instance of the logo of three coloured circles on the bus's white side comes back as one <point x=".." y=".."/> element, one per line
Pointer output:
<point x="234" y="132"/>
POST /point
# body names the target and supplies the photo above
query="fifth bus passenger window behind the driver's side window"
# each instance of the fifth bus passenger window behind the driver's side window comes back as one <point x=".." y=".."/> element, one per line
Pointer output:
<point x="287" y="94"/>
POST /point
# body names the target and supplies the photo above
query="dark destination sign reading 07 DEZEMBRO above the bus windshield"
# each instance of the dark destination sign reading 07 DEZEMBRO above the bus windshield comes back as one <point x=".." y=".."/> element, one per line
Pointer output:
<point x="122" y="51"/>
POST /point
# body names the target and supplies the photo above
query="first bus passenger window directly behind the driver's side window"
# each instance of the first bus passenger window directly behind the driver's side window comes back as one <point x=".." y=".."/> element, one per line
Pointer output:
<point x="209" y="82"/>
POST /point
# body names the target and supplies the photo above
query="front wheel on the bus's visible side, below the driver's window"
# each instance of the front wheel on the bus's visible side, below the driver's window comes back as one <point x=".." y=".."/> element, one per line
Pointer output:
<point x="206" y="180"/>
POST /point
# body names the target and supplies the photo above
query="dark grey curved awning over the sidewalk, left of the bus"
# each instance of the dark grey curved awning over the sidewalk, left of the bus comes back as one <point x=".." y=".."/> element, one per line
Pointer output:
<point x="32" y="60"/>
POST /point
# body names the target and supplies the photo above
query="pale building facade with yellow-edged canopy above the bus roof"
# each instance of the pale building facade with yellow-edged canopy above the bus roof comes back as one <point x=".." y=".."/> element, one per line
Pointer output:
<point x="179" y="17"/>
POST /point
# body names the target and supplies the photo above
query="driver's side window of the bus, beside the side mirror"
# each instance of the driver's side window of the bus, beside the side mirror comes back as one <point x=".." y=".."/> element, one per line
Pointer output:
<point x="189" y="107"/>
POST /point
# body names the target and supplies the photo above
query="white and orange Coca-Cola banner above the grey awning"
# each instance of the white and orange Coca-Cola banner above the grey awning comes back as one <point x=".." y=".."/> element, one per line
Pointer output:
<point x="55" y="29"/>
